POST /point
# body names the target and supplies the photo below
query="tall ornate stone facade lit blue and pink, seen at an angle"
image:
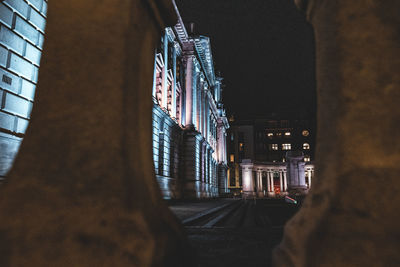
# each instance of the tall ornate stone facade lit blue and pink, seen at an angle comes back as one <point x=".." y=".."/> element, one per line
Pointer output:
<point x="189" y="122"/>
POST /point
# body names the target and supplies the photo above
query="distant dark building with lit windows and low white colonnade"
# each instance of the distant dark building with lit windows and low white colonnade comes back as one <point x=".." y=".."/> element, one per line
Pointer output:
<point x="271" y="157"/>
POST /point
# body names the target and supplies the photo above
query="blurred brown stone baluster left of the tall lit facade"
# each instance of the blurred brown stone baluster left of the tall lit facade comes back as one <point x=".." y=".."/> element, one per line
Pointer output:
<point x="82" y="191"/>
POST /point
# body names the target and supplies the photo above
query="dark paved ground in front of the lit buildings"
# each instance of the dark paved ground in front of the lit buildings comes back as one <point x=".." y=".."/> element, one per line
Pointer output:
<point x="231" y="232"/>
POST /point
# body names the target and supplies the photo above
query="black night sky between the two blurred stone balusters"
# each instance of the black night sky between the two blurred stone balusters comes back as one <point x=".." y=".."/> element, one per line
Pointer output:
<point x="264" y="49"/>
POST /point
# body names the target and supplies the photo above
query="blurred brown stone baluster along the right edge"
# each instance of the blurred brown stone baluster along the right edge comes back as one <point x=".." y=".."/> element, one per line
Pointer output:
<point x="350" y="217"/>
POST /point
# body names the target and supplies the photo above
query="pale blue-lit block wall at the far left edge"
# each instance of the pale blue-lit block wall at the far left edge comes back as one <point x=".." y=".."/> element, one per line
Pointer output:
<point x="22" y="25"/>
